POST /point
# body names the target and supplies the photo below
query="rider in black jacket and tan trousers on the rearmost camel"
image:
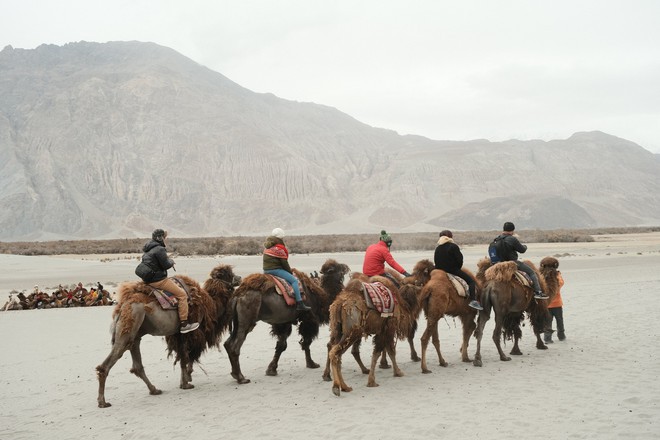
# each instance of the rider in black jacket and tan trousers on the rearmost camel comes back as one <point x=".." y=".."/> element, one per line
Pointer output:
<point x="155" y="257"/>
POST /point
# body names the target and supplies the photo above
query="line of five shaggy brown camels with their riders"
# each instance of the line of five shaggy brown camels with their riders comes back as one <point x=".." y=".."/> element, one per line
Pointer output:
<point x="382" y="302"/>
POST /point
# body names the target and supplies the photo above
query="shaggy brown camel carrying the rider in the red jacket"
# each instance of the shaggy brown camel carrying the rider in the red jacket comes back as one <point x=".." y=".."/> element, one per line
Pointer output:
<point x="351" y="319"/>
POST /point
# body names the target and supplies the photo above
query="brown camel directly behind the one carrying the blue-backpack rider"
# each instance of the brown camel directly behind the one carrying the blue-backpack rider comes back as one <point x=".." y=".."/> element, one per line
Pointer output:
<point x="438" y="298"/>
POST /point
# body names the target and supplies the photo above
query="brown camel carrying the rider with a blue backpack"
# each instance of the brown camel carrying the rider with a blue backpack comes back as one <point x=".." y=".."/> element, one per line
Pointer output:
<point x="509" y="299"/>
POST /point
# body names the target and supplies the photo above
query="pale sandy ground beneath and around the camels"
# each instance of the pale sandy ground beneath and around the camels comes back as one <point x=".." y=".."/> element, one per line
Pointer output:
<point x="602" y="382"/>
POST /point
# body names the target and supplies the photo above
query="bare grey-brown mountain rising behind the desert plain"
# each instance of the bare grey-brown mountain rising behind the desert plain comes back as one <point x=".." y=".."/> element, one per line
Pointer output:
<point x="112" y="140"/>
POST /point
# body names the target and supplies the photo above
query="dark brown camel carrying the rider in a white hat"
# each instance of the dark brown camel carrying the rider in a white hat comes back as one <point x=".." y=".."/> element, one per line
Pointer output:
<point x="256" y="300"/>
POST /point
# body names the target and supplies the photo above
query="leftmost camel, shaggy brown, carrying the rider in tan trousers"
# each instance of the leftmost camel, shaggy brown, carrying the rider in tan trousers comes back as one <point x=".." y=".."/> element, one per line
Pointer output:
<point x="138" y="314"/>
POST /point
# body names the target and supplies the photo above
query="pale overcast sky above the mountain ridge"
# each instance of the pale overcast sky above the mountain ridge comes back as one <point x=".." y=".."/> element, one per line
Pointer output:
<point x="450" y="70"/>
